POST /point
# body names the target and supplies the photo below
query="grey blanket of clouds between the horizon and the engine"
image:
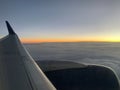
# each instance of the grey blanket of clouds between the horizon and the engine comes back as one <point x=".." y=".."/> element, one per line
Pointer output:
<point x="107" y="54"/>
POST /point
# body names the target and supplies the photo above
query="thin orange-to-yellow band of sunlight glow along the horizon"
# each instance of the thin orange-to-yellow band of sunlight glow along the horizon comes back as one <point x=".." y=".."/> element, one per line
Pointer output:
<point x="26" y="40"/>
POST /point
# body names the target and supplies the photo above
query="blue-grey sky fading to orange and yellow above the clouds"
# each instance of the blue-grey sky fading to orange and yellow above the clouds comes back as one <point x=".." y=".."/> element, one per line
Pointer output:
<point x="62" y="20"/>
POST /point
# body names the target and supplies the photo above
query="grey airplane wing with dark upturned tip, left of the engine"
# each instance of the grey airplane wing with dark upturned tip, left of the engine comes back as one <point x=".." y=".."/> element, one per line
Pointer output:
<point x="18" y="71"/>
